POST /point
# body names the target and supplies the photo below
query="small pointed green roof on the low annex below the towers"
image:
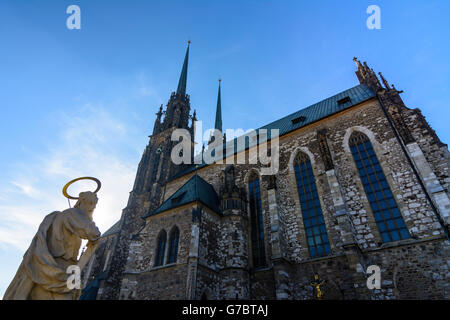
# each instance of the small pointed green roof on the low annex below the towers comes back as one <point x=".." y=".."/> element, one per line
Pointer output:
<point x="194" y="189"/>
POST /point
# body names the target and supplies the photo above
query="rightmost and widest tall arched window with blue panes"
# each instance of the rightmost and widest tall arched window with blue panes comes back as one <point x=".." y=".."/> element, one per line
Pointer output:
<point x="387" y="215"/>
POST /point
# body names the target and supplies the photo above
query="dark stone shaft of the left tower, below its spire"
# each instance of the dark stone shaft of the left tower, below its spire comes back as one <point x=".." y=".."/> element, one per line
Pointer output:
<point x="153" y="172"/>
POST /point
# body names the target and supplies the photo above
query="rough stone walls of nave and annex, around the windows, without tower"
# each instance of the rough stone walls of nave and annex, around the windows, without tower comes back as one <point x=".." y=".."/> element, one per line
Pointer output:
<point x="412" y="268"/>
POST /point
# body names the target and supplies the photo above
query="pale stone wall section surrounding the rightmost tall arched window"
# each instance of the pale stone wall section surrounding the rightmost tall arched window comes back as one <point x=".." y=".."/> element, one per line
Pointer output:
<point x="410" y="198"/>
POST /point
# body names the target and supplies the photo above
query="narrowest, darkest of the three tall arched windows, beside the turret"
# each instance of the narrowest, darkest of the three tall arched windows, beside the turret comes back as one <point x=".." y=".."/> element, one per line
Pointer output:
<point x="257" y="225"/>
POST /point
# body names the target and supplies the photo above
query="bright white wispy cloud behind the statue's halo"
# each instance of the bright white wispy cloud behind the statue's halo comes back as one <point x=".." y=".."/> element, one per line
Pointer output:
<point x="89" y="144"/>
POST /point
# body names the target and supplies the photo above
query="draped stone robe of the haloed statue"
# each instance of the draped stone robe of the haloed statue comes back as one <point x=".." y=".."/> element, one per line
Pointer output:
<point x="42" y="273"/>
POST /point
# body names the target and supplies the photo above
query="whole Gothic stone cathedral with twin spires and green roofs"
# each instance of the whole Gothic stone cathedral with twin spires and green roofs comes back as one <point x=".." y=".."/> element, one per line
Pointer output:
<point x="362" y="189"/>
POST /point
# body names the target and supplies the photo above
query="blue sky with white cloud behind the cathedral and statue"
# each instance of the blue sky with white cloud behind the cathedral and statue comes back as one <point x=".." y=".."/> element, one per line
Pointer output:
<point x="83" y="102"/>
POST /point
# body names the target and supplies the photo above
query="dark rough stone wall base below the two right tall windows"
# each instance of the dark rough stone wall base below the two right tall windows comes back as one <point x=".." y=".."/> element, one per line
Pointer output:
<point x="409" y="271"/>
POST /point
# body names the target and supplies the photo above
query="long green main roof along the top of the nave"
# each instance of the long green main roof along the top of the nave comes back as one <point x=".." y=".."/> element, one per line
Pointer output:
<point x="320" y="110"/>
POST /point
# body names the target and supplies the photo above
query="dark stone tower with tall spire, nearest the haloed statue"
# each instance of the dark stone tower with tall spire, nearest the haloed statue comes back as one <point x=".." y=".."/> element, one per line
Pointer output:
<point x="154" y="170"/>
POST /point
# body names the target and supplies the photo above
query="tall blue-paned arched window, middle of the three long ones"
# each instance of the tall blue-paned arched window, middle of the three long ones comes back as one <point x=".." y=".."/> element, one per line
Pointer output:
<point x="316" y="233"/>
